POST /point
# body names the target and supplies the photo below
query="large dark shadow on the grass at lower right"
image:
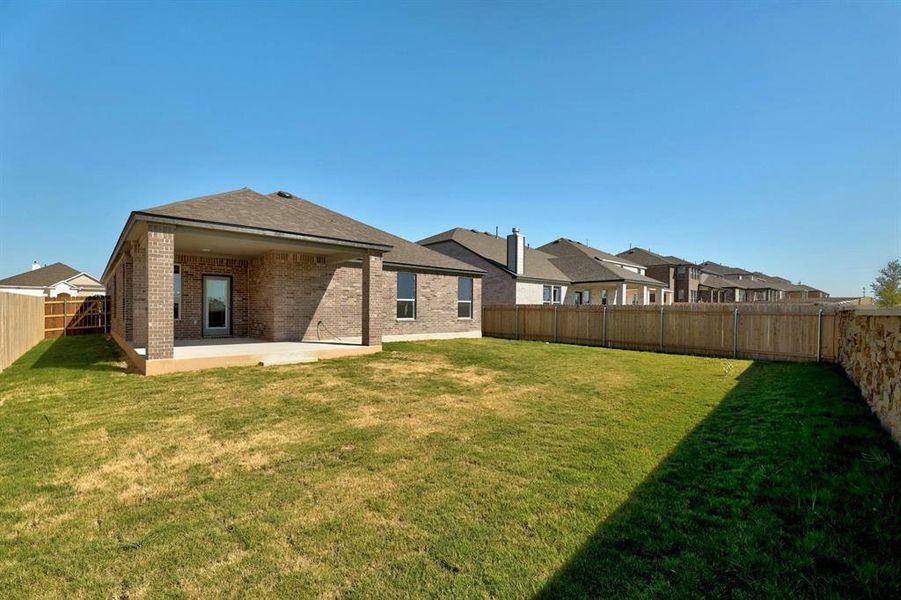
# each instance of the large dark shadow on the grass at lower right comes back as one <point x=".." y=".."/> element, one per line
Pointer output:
<point x="789" y="488"/>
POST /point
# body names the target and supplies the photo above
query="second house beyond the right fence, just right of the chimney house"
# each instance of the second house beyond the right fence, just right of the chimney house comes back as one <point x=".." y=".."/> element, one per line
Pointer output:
<point x="601" y="278"/>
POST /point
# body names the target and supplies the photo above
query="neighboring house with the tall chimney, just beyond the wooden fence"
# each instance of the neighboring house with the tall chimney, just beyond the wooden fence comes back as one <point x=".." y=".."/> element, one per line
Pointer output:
<point x="514" y="273"/>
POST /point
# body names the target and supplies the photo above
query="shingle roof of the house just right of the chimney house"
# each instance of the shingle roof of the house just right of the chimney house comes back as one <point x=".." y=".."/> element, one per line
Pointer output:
<point x="584" y="264"/>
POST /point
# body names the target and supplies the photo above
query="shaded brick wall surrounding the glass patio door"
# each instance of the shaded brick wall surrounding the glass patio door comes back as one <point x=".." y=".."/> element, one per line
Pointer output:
<point x="193" y="268"/>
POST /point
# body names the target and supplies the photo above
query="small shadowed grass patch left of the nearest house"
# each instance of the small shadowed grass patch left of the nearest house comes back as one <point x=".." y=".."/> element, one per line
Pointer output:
<point x="82" y="353"/>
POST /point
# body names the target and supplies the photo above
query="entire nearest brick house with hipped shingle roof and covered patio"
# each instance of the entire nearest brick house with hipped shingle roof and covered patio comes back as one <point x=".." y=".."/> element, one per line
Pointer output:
<point x="278" y="268"/>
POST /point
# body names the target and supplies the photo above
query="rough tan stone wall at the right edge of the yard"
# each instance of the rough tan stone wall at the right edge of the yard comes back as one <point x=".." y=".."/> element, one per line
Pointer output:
<point x="870" y="352"/>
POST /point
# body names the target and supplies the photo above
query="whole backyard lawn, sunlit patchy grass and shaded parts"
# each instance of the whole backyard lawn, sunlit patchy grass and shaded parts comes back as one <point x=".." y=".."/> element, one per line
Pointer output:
<point x="470" y="468"/>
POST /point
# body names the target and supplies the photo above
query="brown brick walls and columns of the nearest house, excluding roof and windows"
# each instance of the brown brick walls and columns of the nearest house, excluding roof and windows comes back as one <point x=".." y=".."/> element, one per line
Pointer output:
<point x="281" y="296"/>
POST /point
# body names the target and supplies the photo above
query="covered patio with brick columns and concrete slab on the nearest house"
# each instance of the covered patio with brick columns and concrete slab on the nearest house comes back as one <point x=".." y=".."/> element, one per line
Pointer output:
<point x="198" y="297"/>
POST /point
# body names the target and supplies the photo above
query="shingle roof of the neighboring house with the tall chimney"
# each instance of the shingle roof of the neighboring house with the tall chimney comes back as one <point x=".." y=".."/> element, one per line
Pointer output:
<point x="536" y="264"/>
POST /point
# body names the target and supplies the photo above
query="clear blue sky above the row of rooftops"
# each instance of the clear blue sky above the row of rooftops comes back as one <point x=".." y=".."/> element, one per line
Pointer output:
<point x="764" y="135"/>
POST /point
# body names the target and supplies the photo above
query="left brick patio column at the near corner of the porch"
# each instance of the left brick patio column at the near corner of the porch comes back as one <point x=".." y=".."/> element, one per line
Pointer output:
<point x="160" y="250"/>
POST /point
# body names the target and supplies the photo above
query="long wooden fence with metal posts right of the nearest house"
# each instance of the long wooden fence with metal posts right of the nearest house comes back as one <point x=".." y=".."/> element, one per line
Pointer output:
<point x="765" y="331"/>
